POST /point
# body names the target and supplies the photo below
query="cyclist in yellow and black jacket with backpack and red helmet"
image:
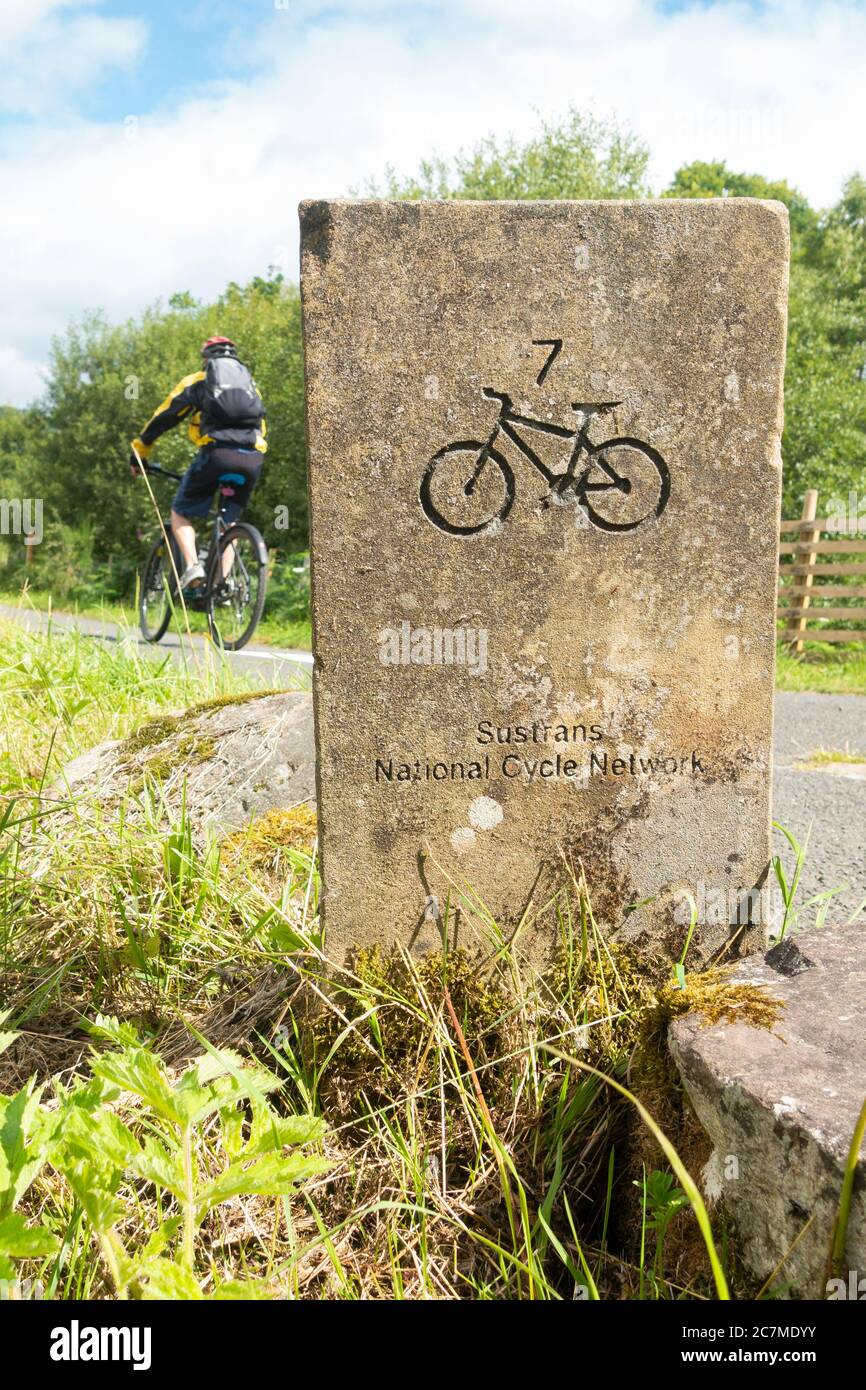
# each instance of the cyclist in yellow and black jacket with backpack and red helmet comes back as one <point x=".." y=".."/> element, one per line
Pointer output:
<point x="226" y="418"/>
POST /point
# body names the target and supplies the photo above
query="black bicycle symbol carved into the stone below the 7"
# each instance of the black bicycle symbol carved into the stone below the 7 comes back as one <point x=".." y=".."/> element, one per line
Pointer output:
<point x="616" y="497"/>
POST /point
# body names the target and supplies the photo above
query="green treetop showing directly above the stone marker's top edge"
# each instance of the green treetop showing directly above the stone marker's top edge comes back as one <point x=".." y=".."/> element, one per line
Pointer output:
<point x="578" y="158"/>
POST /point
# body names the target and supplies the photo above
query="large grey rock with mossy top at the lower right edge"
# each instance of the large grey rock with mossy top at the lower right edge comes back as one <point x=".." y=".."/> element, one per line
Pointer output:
<point x="782" y="1110"/>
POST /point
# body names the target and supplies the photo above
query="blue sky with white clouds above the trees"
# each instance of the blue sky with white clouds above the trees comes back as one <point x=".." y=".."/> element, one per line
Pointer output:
<point x="159" y="147"/>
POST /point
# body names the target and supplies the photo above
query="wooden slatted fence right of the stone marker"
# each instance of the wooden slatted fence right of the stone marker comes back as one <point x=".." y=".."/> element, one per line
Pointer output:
<point x="810" y="571"/>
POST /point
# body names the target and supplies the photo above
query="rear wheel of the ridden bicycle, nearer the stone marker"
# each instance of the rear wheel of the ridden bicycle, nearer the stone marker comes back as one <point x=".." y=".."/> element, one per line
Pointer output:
<point x="237" y="589"/>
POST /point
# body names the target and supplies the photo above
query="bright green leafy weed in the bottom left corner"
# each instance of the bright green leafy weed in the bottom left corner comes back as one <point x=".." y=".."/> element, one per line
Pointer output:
<point x="165" y="1143"/>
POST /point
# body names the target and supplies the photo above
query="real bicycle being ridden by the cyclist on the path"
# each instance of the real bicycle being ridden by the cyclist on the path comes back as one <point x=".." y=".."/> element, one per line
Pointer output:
<point x="236" y="578"/>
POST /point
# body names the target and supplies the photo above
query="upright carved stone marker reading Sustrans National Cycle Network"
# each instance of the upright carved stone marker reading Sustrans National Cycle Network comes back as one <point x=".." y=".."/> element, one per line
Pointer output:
<point x="544" y="482"/>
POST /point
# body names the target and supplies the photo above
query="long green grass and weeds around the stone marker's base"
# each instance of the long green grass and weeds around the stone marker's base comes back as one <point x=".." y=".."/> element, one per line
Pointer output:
<point x="462" y="1128"/>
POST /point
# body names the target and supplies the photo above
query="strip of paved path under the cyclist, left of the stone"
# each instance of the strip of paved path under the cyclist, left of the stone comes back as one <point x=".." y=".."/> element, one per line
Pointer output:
<point x="279" y="667"/>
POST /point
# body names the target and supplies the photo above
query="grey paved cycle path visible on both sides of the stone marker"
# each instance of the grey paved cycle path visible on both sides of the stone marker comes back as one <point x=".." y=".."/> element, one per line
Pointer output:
<point x="832" y="799"/>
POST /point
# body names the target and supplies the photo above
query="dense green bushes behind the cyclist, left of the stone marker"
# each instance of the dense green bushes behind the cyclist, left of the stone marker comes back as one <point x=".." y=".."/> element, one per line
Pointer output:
<point x="105" y="382"/>
